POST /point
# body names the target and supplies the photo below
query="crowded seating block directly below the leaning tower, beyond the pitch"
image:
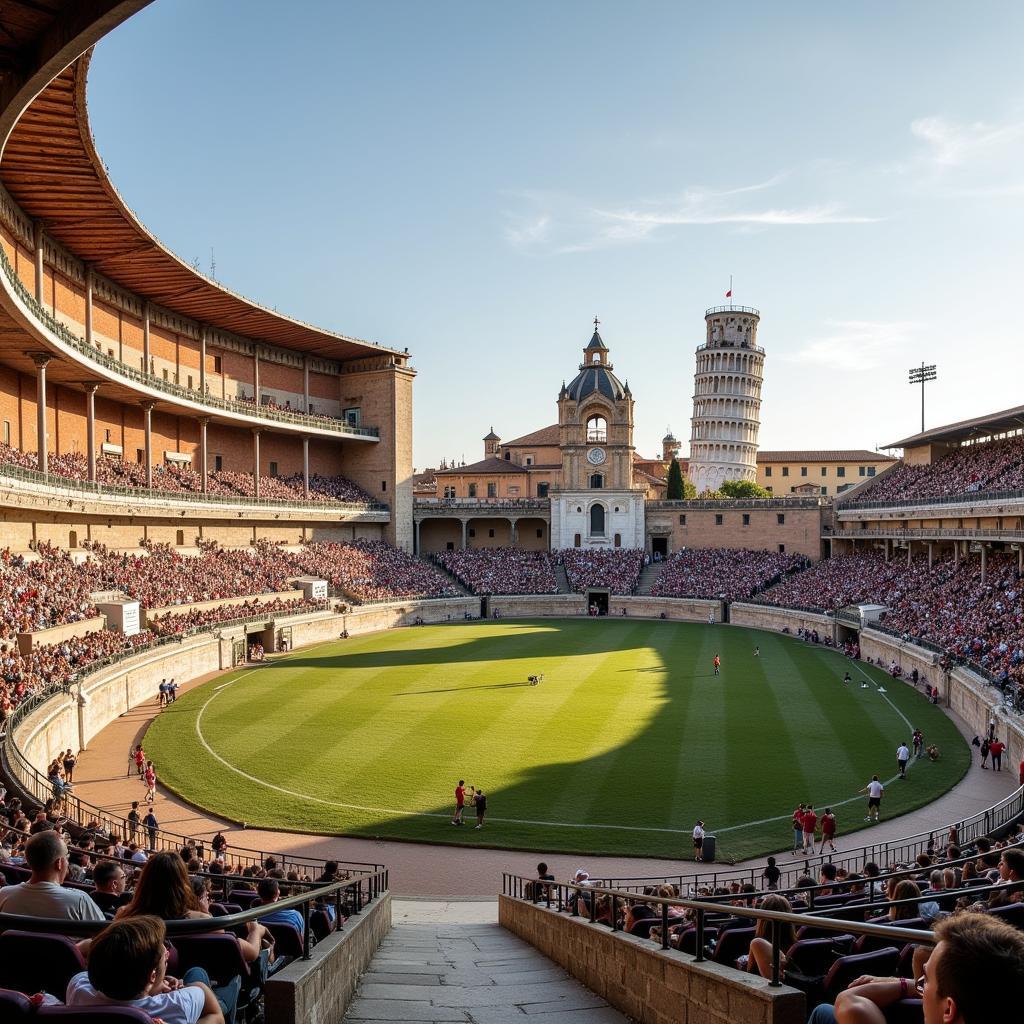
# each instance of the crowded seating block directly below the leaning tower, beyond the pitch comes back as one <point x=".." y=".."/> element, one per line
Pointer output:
<point x="722" y="574"/>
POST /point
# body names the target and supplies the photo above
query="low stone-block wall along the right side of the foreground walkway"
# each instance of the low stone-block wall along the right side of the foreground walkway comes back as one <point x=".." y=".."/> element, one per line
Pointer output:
<point x="647" y="984"/>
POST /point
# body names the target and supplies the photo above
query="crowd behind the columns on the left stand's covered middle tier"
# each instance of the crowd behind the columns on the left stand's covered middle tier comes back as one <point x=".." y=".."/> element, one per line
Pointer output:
<point x="183" y="480"/>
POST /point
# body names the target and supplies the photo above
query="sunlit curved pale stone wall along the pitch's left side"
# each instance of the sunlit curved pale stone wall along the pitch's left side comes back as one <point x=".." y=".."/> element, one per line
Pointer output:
<point x="70" y="721"/>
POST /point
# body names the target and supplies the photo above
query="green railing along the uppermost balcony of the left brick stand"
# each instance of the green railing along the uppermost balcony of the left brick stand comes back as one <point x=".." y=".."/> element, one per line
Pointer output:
<point x="68" y="337"/>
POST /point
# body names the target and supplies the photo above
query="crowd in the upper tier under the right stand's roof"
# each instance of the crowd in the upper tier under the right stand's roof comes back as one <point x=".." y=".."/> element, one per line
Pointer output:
<point x="989" y="466"/>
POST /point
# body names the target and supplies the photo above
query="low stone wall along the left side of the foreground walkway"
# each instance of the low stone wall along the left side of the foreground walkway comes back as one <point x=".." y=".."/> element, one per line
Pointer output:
<point x="322" y="989"/>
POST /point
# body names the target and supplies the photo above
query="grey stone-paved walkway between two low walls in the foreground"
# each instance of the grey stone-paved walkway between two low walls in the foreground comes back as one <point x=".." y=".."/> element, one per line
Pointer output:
<point x="453" y="962"/>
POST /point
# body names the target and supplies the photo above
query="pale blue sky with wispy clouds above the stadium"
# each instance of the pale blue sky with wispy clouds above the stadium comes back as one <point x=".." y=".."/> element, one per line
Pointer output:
<point x="477" y="182"/>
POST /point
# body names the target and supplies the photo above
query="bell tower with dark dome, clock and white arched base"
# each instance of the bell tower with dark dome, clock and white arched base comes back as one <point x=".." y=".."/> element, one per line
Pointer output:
<point x="596" y="505"/>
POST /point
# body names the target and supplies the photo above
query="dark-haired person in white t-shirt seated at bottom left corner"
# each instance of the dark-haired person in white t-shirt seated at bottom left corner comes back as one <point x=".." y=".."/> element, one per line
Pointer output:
<point x="129" y="968"/>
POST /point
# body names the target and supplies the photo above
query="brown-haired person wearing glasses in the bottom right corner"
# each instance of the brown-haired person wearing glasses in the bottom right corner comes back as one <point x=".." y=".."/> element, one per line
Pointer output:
<point x="977" y="966"/>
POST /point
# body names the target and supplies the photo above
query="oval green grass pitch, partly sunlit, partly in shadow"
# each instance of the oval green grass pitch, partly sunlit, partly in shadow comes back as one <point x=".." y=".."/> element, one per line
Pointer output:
<point x="627" y="743"/>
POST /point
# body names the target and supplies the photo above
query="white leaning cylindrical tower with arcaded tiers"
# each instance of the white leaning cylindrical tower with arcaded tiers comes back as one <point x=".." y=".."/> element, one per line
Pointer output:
<point x="727" y="400"/>
